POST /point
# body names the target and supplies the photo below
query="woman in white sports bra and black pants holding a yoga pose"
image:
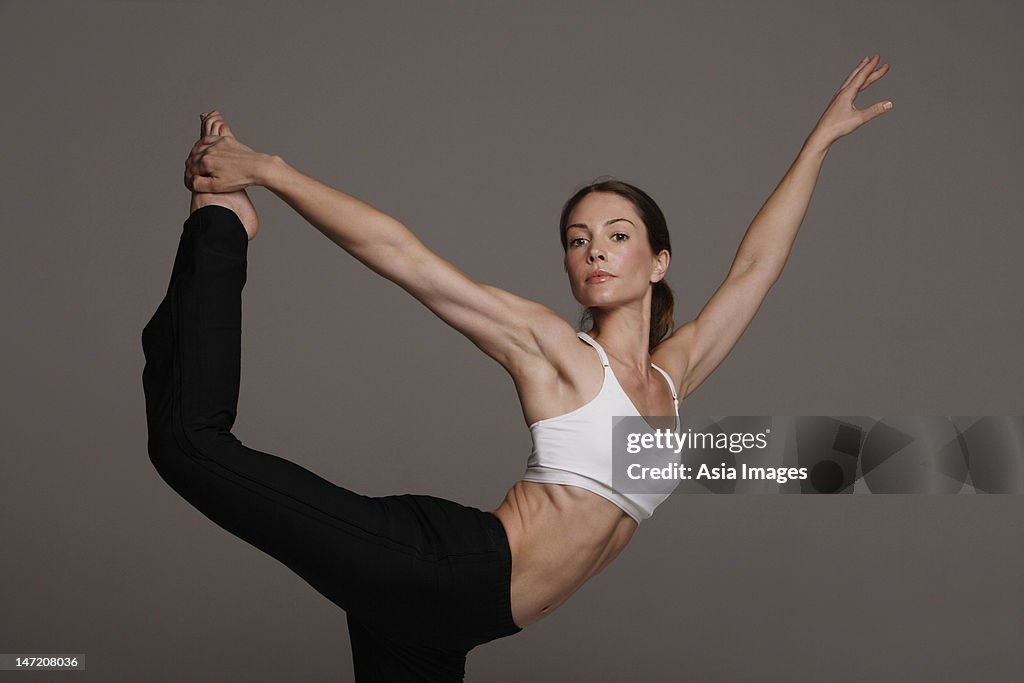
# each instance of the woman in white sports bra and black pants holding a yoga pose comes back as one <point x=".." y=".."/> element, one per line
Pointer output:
<point x="424" y="580"/>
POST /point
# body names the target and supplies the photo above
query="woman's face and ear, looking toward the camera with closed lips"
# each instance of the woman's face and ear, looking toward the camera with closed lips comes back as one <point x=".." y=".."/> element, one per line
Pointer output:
<point x="609" y="258"/>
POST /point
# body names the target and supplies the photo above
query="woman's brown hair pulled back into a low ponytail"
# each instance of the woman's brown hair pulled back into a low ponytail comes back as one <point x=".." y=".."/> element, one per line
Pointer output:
<point x="662" y="302"/>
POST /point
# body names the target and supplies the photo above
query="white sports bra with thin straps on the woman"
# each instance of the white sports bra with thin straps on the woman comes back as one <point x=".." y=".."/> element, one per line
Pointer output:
<point x="575" y="449"/>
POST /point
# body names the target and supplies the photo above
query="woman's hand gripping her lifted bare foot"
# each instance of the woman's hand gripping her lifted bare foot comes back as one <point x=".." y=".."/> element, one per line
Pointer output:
<point x="219" y="163"/>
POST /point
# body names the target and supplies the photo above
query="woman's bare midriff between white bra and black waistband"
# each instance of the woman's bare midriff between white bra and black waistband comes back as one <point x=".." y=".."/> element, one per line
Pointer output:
<point x="561" y="536"/>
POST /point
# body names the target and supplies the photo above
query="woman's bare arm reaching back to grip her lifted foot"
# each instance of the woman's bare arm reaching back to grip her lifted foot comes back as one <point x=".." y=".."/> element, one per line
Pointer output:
<point x="502" y="325"/>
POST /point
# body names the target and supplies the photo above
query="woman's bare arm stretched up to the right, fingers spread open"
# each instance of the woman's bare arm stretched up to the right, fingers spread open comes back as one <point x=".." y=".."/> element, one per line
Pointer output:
<point x="697" y="349"/>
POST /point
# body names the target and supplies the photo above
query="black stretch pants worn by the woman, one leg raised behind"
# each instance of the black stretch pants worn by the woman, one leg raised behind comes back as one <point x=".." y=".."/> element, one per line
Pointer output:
<point x="422" y="580"/>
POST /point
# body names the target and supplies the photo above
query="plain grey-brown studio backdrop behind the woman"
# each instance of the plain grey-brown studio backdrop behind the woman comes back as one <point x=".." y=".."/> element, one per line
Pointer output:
<point x="473" y="123"/>
